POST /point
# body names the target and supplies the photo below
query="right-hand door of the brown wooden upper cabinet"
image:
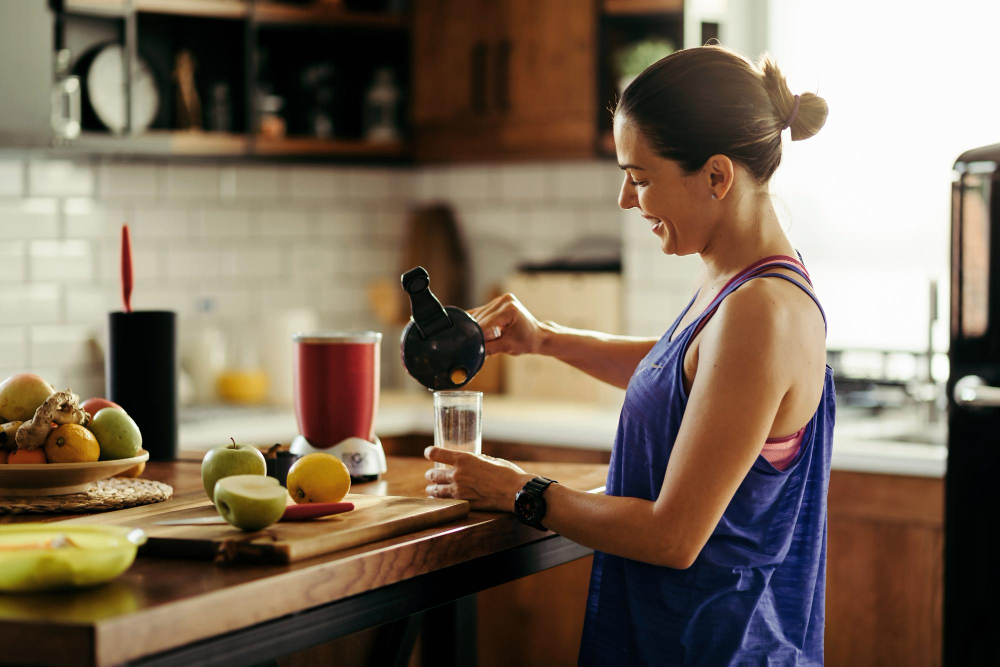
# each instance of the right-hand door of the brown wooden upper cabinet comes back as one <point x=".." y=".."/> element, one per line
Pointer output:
<point x="548" y="96"/>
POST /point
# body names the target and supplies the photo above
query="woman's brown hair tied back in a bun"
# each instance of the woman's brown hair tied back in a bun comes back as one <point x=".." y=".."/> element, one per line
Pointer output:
<point x="710" y="100"/>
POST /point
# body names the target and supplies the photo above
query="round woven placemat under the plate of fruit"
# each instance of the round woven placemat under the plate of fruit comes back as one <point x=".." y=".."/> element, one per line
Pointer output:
<point x="106" y="494"/>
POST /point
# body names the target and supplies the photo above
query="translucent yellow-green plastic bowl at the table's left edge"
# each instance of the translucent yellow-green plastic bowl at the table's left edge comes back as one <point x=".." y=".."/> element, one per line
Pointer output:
<point x="101" y="554"/>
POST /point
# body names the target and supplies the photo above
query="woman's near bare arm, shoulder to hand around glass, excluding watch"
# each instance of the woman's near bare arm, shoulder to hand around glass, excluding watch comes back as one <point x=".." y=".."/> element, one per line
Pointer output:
<point x="742" y="377"/>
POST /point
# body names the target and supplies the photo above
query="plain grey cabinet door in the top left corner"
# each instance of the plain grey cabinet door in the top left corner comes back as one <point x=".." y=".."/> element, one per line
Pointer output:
<point x="26" y="35"/>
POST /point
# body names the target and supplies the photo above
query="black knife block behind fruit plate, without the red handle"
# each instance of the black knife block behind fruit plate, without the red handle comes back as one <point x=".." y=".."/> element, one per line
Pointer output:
<point x="141" y="375"/>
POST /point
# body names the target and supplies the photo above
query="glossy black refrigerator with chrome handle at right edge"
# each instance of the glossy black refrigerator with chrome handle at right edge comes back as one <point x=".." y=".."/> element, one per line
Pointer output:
<point x="972" y="483"/>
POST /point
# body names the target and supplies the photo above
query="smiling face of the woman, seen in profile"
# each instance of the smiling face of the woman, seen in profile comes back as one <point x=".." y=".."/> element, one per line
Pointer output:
<point x="676" y="205"/>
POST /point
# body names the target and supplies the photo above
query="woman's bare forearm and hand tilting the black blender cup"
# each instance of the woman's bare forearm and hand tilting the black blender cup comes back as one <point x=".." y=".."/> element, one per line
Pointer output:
<point x="511" y="329"/>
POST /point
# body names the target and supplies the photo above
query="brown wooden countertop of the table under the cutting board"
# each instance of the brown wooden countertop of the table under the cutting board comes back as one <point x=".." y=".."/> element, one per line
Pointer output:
<point x="160" y="604"/>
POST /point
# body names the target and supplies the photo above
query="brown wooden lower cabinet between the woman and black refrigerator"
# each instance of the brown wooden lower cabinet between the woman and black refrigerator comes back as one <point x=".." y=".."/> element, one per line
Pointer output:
<point x="885" y="570"/>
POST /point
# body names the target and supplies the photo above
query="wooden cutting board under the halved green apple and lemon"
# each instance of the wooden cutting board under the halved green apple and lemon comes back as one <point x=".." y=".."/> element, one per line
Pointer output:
<point x="373" y="518"/>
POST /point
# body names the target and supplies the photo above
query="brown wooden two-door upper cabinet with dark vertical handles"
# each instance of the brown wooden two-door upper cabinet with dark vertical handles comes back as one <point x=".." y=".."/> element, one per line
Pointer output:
<point x="504" y="78"/>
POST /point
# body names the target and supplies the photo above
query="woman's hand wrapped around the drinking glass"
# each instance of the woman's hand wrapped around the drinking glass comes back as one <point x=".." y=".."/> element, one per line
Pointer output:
<point x="487" y="483"/>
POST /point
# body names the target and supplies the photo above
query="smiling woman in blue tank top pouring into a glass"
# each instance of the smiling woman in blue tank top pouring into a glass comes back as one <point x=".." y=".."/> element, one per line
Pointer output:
<point x="710" y="543"/>
